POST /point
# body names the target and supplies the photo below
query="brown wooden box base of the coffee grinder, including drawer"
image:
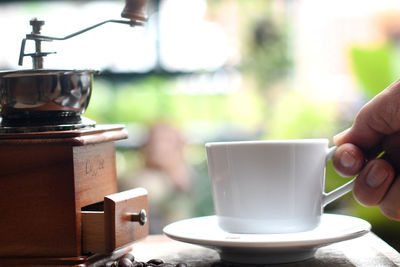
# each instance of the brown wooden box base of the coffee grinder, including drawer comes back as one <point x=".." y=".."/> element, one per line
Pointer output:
<point x="47" y="179"/>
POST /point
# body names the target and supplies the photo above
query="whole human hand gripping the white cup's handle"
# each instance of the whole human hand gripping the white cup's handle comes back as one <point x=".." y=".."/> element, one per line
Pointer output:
<point x="375" y="129"/>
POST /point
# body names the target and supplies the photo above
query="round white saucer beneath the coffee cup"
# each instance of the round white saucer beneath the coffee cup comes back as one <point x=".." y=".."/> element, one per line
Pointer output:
<point x="266" y="248"/>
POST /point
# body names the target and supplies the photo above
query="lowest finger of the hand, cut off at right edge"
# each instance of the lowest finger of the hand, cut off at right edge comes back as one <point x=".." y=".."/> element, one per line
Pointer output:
<point x="390" y="203"/>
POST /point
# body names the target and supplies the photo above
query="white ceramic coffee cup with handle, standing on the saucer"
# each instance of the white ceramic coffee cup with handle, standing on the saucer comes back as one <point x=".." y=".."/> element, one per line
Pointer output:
<point x="264" y="187"/>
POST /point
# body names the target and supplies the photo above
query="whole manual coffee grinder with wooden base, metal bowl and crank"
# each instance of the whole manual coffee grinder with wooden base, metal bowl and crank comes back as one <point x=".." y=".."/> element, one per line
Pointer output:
<point x="59" y="204"/>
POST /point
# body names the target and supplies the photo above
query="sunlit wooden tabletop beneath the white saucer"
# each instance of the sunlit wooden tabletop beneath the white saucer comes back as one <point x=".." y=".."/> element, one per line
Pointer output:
<point x="368" y="250"/>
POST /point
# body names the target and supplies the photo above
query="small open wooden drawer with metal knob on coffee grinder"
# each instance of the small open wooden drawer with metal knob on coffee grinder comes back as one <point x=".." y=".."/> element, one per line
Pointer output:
<point x="122" y="221"/>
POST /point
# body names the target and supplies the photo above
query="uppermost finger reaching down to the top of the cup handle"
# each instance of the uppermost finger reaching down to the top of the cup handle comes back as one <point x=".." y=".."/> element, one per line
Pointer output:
<point x="379" y="117"/>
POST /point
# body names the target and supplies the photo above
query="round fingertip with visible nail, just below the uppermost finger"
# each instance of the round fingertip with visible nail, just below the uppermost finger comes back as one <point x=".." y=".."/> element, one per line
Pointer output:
<point x="348" y="160"/>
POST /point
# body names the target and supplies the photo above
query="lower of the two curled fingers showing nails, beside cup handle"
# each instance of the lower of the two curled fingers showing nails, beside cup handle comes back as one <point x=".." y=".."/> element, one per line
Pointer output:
<point x="373" y="182"/>
